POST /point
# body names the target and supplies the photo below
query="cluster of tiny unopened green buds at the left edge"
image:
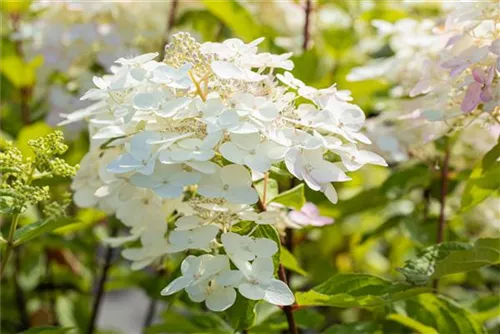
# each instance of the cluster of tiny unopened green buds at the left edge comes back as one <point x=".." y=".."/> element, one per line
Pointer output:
<point x="18" y="173"/>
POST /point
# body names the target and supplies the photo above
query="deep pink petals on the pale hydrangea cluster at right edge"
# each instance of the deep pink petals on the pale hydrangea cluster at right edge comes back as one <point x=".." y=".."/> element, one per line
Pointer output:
<point x="480" y="90"/>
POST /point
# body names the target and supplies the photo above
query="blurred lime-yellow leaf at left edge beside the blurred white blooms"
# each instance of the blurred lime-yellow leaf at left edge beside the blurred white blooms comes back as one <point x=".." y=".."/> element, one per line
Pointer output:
<point x="19" y="73"/>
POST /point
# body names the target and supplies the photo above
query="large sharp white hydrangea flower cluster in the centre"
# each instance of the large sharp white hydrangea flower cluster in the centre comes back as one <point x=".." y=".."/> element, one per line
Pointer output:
<point x="178" y="140"/>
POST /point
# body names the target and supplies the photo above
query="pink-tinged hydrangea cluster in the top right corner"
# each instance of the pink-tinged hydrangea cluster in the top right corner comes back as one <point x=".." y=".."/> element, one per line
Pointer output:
<point x="465" y="76"/>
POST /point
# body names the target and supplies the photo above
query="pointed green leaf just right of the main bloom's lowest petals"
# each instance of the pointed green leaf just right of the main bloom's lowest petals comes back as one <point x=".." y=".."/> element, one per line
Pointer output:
<point x="356" y="290"/>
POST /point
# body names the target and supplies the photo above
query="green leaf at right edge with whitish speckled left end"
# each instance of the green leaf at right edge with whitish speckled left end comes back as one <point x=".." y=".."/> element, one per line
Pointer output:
<point x="450" y="258"/>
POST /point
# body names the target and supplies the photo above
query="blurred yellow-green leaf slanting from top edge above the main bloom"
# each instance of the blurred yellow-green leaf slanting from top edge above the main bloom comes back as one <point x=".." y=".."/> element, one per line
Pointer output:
<point x="236" y="17"/>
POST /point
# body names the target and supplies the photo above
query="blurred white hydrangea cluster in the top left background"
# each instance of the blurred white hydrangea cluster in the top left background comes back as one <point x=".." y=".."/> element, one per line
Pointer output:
<point x="75" y="36"/>
